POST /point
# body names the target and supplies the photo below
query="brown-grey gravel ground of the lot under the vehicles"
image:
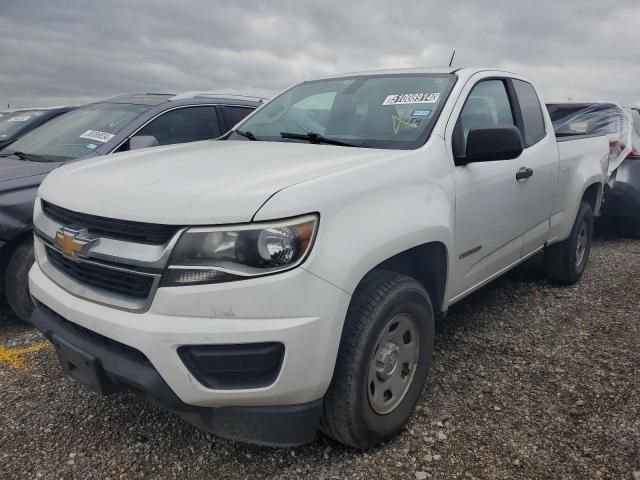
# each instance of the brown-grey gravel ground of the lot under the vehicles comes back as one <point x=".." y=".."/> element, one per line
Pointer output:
<point x="530" y="380"/>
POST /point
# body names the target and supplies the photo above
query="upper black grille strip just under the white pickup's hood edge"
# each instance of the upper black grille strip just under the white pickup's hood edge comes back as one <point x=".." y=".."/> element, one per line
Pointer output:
<point x="127" y="230"/>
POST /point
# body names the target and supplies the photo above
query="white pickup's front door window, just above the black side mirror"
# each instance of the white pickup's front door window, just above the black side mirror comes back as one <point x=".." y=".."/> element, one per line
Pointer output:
<point x="488" y="104"/>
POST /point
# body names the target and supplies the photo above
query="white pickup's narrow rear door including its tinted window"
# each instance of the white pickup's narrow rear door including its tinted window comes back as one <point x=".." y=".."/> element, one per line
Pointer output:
<point x="540" y="157"/>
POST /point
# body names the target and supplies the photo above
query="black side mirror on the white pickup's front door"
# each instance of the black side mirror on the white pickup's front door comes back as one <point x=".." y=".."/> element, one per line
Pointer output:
<point x="497" y="142"/>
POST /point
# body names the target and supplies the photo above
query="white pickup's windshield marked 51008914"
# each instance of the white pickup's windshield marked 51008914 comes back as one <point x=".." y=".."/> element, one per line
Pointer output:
<point x="391" y="111"/>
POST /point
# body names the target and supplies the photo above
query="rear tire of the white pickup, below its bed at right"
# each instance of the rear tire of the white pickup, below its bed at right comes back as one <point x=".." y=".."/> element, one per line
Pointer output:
<point x="563" y="261"/>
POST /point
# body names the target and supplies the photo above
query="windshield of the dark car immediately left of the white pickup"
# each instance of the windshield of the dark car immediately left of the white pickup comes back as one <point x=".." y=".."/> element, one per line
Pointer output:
<point x="79" y="132"/>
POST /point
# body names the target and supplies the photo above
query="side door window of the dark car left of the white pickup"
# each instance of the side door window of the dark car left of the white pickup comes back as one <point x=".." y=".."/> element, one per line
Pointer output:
<point x="182" y="125"/>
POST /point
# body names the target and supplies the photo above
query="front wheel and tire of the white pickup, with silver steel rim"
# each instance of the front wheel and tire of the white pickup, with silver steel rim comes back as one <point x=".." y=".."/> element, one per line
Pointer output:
<point x="349" y="415"/>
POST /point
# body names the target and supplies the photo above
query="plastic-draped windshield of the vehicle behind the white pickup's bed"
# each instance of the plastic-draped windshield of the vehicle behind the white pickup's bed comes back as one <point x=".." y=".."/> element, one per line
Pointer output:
<point x="589" y="119"/>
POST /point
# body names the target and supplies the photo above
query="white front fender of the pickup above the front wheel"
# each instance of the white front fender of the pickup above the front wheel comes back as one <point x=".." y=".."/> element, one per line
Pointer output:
<point x="370" y="213"/>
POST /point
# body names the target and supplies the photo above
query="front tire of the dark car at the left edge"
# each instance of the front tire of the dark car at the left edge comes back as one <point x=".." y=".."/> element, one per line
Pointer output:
<point x="16" y="281"/>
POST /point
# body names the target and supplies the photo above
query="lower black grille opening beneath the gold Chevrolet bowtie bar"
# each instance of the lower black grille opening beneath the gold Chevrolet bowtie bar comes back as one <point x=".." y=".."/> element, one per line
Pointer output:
<point x="123" y="283"/>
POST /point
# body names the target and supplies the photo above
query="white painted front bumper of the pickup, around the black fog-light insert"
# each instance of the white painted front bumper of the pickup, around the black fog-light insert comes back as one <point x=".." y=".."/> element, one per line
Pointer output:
<point x="296" y="308"/>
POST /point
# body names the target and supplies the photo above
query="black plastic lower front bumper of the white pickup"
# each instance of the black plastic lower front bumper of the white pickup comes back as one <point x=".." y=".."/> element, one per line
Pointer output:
<point x="108" y="367"/>
